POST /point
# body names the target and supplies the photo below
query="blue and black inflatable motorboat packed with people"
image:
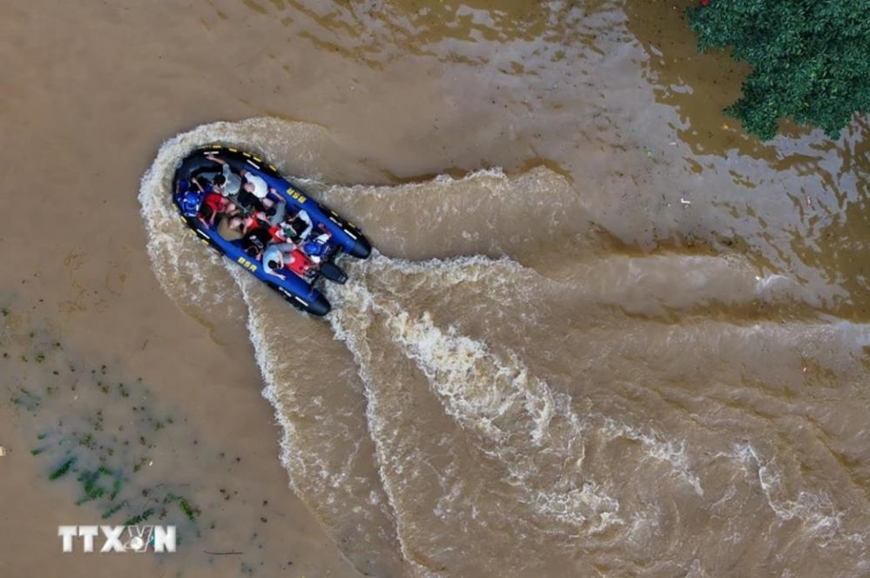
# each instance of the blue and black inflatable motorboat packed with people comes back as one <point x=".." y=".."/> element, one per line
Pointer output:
<point x="238" y="204"/>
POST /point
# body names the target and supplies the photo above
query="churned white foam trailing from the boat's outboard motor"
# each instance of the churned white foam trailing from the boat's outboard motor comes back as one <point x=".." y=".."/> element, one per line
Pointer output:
<point x="519" y="417"/>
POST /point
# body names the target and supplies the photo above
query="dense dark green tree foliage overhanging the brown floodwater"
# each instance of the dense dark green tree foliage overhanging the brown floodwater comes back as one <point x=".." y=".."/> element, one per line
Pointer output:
<point x="810" y="59"/>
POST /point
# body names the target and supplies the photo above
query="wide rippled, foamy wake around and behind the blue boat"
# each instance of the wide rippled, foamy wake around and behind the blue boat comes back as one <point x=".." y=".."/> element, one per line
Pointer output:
<point x="550" y="402"/>
